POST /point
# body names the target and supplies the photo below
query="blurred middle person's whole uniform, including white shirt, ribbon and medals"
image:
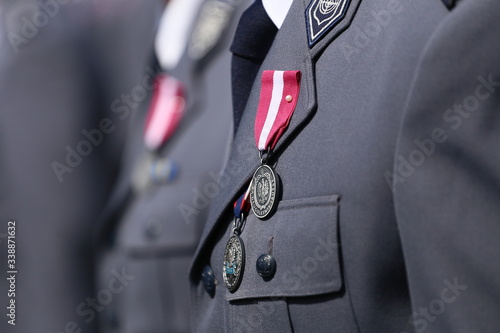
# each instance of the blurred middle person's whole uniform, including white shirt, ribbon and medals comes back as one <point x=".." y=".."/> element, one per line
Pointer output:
<point x="175" y="150"/>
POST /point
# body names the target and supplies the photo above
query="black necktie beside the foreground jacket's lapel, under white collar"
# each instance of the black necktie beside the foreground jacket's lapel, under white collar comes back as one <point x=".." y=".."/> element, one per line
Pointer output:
<point x="253" y="39"/>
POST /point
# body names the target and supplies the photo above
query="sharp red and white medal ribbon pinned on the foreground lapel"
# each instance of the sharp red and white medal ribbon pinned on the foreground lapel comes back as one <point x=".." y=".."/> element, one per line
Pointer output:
<point x="278" y="98"/>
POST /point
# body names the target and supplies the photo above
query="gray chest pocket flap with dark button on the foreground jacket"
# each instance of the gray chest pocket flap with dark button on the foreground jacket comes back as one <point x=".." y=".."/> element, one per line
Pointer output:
<point x="302" y="237"/>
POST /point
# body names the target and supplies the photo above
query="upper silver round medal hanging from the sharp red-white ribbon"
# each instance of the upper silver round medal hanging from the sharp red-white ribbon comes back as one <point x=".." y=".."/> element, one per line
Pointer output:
<point x="264" y="191"/>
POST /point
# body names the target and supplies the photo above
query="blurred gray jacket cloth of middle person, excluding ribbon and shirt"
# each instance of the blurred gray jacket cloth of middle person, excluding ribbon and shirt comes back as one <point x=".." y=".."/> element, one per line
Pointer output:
<point x="151" y="235"/>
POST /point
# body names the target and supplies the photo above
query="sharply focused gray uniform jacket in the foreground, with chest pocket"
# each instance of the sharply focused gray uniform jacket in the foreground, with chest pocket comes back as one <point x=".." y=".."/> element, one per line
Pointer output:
<point x="388" y="220"/>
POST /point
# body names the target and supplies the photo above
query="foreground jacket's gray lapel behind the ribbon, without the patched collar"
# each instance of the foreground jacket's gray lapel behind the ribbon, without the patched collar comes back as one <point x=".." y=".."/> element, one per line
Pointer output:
<point x="244" y="158"/>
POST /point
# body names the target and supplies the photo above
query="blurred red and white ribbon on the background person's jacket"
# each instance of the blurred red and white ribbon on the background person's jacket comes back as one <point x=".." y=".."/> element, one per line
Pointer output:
<point x="165" y="113"/>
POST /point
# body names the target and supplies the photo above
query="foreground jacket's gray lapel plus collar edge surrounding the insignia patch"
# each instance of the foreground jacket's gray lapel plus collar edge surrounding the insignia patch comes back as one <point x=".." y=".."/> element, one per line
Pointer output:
<point x="244" y="158"/>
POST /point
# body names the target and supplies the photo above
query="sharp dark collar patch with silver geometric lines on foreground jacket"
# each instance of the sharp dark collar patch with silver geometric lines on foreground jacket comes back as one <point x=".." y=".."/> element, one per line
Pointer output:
<point x="322" y="16"/>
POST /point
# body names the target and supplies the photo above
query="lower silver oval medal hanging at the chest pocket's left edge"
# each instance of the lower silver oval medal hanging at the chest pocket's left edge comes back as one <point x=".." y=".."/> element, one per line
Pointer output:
<point x="234" y="262"/>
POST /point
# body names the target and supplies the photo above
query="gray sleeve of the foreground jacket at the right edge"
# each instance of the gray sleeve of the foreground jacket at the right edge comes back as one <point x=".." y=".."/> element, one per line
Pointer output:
<point x="446" y="175"/>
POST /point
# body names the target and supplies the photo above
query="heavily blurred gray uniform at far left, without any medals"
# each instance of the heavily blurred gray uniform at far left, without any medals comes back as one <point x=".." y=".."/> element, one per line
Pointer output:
<point x="62" y="64"/>
